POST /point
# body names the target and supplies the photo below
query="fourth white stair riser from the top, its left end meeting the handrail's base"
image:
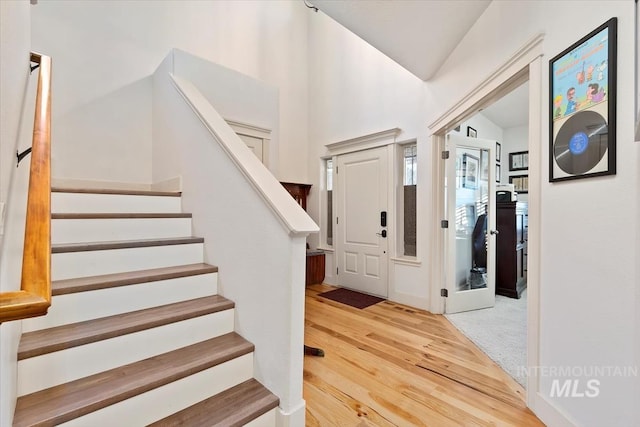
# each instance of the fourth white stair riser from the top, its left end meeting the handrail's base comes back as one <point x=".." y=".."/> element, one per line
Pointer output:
<point x="81" y="306"/>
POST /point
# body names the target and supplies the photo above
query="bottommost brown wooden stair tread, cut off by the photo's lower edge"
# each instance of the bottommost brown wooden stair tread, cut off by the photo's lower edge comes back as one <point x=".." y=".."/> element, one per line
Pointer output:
<point x="233" y="407"/>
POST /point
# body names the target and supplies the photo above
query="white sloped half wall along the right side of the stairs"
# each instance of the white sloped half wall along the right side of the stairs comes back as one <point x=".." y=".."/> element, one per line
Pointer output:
<point x="261" y="262"/>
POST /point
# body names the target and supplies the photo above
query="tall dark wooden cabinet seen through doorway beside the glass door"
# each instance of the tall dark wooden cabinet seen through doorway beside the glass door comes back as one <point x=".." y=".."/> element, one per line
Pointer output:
<point x="511" y="249"/>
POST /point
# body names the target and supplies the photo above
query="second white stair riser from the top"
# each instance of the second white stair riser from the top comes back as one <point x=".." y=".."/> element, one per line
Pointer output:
<point x="96" y="230"/>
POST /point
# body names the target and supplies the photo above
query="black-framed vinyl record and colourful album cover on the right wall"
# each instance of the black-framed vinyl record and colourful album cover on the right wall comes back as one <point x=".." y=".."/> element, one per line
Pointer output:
<point x="582" y="107"/>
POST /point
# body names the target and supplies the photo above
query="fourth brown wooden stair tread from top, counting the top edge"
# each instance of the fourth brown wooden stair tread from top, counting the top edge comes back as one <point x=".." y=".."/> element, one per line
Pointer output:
<point x="83" y="284"/>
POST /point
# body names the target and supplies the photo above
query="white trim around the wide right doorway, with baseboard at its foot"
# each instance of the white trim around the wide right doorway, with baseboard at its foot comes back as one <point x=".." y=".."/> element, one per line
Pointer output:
<point x="525" y="64"/>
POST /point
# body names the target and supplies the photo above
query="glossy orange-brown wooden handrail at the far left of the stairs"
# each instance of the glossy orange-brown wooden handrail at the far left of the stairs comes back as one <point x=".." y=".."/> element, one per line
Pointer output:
<point x="34" y="297"/>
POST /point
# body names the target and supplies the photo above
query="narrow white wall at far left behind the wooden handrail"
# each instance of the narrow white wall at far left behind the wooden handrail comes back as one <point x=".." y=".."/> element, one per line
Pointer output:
<point x="14" y="77"/>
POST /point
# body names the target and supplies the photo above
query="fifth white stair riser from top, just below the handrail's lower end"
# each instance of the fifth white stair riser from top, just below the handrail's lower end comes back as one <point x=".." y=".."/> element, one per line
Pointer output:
<point x="48" y="370"/>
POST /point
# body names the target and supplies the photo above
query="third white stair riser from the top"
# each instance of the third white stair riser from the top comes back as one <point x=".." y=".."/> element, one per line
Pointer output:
<point x="68" y="265"/>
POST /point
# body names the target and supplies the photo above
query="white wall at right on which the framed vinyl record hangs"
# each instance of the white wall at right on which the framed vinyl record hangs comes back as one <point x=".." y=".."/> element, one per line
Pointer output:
<point x="588" y="277"/>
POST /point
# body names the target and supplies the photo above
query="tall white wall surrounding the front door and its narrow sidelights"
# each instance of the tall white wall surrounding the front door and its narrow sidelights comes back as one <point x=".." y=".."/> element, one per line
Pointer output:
<point x="354" y="90"/>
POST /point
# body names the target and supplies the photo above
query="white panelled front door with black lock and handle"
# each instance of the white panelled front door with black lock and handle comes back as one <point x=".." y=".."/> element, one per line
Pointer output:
<point x="361" y="237"/>
